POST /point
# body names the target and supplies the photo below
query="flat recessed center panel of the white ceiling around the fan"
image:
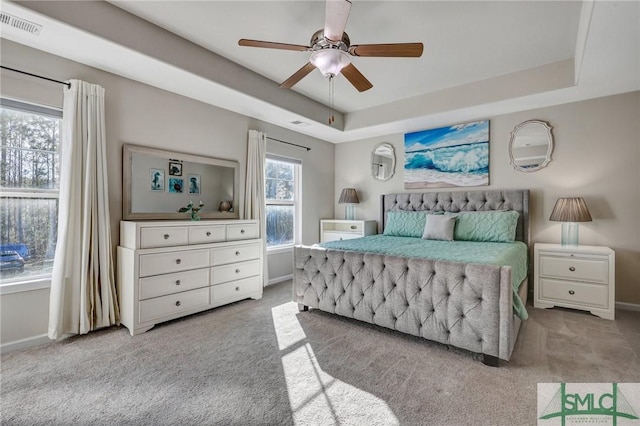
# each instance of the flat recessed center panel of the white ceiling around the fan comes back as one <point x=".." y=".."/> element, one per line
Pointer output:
<point x="464" y="41"/>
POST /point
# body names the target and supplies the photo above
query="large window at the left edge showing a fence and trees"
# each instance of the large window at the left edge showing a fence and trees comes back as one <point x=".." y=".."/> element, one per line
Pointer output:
<point x="29" y="185"/>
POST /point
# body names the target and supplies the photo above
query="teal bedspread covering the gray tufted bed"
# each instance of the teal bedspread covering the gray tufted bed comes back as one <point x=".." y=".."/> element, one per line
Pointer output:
<point x="504" y="254"/>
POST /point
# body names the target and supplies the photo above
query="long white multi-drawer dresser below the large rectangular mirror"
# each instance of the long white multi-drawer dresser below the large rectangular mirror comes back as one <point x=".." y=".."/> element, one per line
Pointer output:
<point x="169" y="269"/>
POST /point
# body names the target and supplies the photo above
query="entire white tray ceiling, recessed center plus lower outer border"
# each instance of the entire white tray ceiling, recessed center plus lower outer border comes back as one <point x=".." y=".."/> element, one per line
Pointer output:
<point x="481" y="58"/>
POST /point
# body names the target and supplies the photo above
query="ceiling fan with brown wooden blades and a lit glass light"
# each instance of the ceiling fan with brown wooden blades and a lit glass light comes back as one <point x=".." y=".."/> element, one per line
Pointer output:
<point x="331" y="47"/>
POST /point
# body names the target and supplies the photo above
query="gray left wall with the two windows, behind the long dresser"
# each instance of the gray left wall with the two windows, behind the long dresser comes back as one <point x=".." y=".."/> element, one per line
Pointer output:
<point x="143" y="115"/>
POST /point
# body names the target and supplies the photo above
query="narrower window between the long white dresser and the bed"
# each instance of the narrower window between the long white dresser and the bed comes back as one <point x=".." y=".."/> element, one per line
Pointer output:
<point x="282" y="198"/>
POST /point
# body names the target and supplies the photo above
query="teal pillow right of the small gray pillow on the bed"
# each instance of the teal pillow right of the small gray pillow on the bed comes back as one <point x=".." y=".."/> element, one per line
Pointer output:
<point x="492" y="226"/>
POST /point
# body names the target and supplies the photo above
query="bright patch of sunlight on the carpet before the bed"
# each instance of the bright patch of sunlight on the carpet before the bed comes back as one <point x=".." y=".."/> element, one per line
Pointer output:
<point x="315" y="396"/>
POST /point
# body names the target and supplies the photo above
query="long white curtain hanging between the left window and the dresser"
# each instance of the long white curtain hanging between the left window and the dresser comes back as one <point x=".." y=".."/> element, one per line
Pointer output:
<point x="83" y="295"/>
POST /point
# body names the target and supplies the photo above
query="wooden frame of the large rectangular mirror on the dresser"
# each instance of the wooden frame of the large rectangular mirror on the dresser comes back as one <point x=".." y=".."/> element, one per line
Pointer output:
<point x="127" y="170"/>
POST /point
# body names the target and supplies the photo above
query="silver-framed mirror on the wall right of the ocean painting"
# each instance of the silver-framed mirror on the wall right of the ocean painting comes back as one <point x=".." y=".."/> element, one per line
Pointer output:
<point x="531" y="146"/>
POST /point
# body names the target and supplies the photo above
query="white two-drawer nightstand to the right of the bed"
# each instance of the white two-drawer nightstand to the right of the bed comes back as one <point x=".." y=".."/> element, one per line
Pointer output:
<point x="578" y="277"/>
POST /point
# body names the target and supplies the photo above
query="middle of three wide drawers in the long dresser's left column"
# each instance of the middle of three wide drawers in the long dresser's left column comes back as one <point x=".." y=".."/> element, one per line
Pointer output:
<point x="161" y="285"/>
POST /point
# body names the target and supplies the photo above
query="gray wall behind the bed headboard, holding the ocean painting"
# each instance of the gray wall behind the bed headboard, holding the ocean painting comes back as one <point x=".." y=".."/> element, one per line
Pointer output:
<point x="596" y="156"/>
